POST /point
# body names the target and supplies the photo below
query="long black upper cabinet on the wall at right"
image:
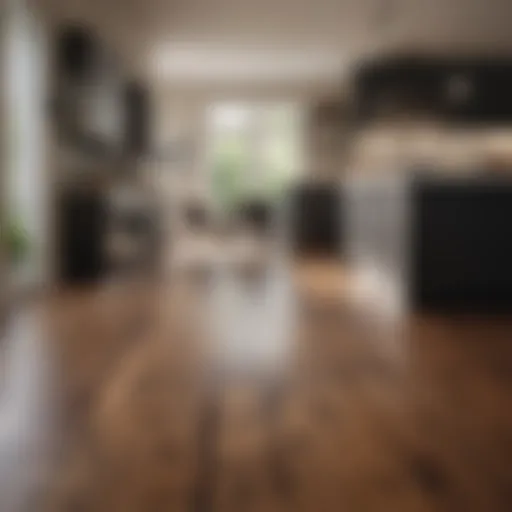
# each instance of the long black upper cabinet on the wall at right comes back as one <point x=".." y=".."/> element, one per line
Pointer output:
<point x="457" y="90"/>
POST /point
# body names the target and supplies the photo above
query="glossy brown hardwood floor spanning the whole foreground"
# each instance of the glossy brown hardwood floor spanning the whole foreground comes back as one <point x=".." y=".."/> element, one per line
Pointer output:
<point x="262" y="391"/>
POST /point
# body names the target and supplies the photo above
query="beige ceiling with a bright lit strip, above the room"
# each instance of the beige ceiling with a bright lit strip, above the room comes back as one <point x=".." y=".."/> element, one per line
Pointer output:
<point x="276" y="40"/>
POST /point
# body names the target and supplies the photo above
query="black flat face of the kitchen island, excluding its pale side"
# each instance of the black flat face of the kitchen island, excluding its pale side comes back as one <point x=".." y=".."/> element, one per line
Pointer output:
<point x="462" y="244"/>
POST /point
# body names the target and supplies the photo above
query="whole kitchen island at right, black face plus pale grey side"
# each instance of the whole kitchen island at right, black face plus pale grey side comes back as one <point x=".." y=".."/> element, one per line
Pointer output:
<point x="439" y="244"/>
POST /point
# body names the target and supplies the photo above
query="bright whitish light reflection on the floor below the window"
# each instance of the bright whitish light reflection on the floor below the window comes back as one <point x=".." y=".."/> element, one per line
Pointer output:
<point x="252" y="320"/>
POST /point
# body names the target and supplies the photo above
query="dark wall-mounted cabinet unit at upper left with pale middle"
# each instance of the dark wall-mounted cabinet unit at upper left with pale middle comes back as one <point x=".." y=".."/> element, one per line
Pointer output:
<point x="98" y="110"/>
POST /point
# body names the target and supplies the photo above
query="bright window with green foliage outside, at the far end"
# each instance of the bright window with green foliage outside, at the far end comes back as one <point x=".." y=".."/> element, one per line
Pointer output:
<point x="255" y="151"/>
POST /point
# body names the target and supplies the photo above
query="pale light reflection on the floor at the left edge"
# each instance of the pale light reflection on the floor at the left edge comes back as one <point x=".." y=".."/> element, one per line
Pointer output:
<point x="27" y="411"/>
